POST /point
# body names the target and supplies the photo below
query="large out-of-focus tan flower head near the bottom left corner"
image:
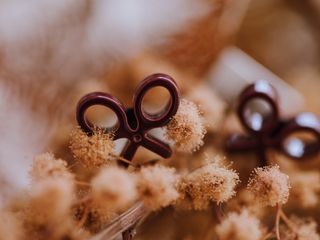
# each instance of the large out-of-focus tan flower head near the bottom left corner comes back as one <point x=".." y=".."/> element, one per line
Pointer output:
<point x="50" y="200"/>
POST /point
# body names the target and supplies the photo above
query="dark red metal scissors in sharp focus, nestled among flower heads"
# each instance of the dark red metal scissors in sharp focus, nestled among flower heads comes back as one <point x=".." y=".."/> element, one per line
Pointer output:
<point x="134" y="123"/>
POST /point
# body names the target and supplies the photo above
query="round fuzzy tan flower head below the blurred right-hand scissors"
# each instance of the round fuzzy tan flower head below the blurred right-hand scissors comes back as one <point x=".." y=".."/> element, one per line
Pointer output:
<point x="269" y="186"/>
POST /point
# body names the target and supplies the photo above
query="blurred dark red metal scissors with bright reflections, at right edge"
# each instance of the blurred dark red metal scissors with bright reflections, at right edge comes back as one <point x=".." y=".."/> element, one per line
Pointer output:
<point x="269" y="130"/>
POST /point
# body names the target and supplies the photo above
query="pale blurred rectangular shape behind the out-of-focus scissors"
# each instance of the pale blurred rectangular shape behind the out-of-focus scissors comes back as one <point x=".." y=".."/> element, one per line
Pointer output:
<point x="234" y="70"/>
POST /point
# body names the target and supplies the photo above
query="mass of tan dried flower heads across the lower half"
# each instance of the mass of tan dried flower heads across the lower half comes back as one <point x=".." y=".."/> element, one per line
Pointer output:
<point x="105" y="199"/>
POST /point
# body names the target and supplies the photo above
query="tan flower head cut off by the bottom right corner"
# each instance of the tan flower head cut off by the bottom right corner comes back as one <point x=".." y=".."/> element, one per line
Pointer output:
<point x="305" y="229"/>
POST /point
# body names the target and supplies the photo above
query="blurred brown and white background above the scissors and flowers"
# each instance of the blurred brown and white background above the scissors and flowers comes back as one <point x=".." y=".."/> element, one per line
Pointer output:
<point x="52" y="52"/>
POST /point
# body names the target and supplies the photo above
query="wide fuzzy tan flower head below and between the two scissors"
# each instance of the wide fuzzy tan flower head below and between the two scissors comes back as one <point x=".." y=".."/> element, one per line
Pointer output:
<point x="208" y="183"/>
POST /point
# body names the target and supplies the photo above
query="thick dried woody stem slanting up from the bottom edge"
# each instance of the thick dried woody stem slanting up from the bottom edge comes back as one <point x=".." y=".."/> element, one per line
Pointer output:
<point x="123" y="222"/>
